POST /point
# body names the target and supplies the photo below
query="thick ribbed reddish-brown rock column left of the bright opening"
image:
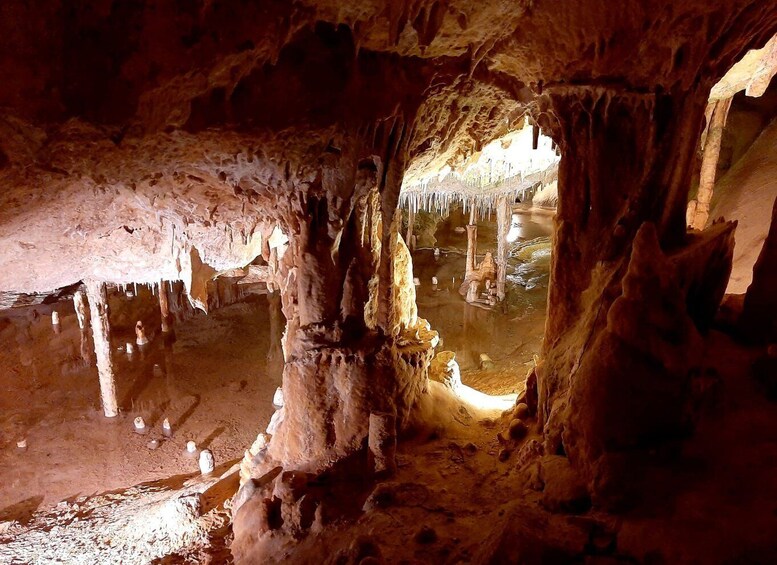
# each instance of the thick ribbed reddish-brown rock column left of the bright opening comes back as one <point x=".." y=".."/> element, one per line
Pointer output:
<point x="347" y="303"/>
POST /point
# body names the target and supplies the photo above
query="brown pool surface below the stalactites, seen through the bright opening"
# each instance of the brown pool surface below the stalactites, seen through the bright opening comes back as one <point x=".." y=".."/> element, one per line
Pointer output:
<point x="494" y="343"/>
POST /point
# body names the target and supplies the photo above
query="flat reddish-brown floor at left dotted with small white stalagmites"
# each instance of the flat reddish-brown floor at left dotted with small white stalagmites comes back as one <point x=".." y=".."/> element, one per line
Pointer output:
<point x="215" y="385"/>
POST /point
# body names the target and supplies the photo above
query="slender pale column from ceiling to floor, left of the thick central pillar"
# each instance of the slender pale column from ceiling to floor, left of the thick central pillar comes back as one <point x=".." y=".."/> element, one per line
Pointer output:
<point x="101" y="329"/>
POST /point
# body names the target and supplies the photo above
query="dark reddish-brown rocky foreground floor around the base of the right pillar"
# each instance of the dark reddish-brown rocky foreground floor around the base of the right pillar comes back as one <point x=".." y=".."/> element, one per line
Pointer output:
<point x="712" y="500"/>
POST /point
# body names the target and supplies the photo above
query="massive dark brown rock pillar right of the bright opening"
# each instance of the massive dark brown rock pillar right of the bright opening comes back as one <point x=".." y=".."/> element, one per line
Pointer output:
<point x="628" y="287"/>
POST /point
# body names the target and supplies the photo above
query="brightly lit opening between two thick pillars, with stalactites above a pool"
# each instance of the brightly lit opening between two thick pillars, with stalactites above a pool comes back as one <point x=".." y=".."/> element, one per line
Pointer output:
<point x="509" y="193"/>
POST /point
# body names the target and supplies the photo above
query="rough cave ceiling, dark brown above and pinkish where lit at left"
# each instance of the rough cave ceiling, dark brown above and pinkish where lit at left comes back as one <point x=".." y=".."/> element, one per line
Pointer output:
<point x="138" y="137"/>
